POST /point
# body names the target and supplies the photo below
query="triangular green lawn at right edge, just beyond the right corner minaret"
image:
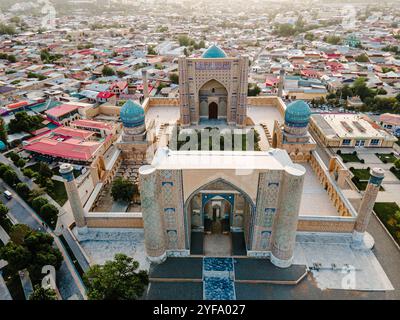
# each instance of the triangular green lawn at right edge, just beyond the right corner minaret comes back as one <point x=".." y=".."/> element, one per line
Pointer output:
<point x="386" y="211"/>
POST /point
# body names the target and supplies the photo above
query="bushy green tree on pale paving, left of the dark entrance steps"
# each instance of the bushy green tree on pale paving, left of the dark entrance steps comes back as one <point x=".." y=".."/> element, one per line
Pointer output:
<point x="116" y="280"/>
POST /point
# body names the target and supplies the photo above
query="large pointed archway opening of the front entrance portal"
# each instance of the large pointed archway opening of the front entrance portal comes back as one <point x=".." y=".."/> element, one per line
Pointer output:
<point x="219" y="214"/>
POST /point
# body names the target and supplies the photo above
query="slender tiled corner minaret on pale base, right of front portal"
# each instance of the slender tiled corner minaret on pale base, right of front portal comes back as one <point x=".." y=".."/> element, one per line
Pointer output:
<point x="362" y="239"/>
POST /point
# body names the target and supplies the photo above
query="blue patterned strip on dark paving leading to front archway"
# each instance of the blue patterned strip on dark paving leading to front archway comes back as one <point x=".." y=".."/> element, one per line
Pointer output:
<point x="218" y="279"/>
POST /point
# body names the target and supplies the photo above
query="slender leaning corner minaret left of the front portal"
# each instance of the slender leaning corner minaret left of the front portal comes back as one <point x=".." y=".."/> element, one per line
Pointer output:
<point x="66" y="171"/>
